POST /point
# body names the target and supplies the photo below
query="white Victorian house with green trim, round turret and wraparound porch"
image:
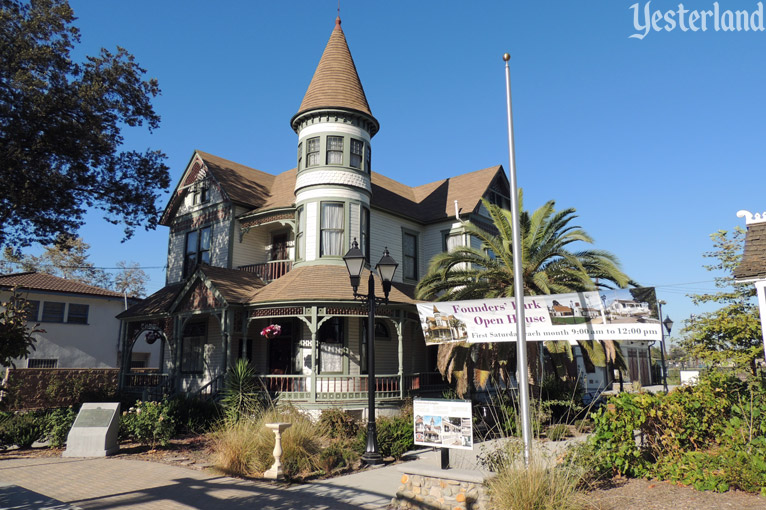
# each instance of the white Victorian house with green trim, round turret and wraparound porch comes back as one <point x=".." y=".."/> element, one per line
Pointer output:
<point x="248" y="249"/>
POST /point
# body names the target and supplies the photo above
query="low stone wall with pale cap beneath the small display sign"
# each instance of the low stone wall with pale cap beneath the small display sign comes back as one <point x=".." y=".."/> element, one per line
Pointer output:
<point x="429" y="488"/>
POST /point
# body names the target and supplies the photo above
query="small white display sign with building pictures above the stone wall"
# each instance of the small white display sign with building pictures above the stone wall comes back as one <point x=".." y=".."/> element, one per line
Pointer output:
<point x="443" y="423"/>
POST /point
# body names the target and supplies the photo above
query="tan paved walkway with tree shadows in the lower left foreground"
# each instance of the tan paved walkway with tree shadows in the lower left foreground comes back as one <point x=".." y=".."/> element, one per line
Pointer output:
<point x="67" y="483"/>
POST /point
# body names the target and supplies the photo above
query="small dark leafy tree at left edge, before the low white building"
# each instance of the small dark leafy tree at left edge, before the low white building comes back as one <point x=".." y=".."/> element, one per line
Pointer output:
<point x="16" y="340"/>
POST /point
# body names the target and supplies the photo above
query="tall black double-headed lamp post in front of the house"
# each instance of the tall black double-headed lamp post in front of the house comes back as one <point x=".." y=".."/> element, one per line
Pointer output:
<point x="355" y="261"/>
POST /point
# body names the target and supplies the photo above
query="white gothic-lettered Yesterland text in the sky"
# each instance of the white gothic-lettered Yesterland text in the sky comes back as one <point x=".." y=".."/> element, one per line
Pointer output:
<point x="646" y="19"/>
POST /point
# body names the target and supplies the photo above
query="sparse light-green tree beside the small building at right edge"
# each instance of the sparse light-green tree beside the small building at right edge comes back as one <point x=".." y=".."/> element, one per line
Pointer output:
<point x="730" y="335"/>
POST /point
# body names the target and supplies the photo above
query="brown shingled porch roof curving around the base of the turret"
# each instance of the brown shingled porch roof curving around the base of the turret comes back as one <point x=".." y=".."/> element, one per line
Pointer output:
<point x="324" y="283"/>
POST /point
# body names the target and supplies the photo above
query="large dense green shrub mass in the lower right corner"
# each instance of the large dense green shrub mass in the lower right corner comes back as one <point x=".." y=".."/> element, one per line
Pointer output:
<point x="711" y="435"/>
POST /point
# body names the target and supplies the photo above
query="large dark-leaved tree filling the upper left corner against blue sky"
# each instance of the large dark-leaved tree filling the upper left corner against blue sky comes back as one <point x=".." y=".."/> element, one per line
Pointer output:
<point x="61" y="130"/>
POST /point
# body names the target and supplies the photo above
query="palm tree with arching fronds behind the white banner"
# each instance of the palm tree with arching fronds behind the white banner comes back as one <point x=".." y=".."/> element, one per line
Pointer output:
<point x="550" y="267"/>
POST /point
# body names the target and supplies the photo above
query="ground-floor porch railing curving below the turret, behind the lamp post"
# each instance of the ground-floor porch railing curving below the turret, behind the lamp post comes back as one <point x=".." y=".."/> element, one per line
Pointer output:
<point x="349" y="387"/>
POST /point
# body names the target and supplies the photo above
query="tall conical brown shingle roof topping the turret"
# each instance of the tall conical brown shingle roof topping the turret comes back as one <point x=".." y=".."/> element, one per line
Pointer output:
<point x="335" y="82"/>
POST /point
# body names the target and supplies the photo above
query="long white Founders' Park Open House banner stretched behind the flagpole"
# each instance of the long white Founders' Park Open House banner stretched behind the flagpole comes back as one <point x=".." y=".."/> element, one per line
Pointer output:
<point x="623" y="314"/>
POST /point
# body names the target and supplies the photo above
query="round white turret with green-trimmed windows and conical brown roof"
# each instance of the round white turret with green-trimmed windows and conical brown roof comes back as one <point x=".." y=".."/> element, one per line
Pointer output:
<point x="332" y="189"/>
